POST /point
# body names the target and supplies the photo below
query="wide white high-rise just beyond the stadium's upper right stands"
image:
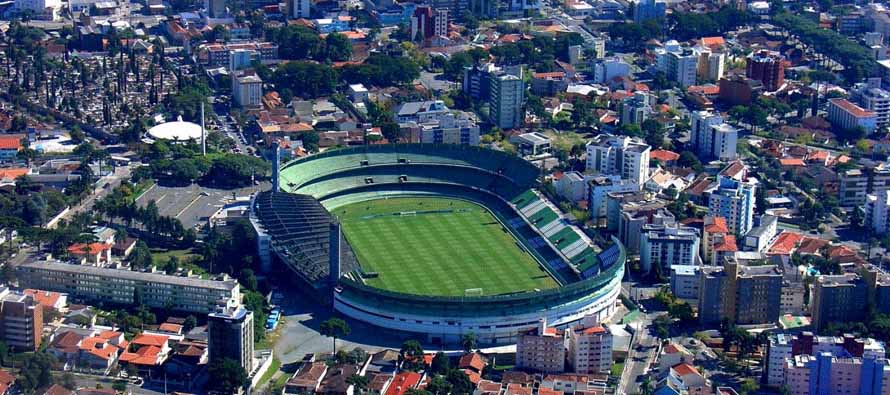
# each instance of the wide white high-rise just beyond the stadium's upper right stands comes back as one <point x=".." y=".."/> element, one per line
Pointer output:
<point x="623" y="156"/>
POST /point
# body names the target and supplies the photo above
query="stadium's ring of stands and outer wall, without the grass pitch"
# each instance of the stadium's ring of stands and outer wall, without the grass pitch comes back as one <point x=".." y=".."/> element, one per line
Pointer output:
<point x="295" y="223"/>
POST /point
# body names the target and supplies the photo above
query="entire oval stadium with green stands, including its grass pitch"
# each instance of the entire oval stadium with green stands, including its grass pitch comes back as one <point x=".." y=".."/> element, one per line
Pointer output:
<point x="438" y="240"/>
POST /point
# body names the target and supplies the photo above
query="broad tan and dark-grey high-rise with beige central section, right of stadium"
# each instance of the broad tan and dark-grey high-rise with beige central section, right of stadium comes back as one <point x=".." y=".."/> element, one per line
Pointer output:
<point x="740" y="294"/>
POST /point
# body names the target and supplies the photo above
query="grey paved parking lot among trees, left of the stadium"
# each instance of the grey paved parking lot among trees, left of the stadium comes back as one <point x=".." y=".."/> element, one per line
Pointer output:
<point x="193" y="204"/>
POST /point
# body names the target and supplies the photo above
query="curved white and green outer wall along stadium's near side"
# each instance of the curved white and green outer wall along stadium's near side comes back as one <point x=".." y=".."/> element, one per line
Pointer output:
<point x="490" y="326"/>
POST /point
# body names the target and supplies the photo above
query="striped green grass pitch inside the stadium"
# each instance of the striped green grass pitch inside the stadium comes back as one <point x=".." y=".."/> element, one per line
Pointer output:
<point x="438" y="253"/>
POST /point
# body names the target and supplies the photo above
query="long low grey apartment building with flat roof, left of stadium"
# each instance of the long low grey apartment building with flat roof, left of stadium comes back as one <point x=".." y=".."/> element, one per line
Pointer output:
<point x="112" y="287"/>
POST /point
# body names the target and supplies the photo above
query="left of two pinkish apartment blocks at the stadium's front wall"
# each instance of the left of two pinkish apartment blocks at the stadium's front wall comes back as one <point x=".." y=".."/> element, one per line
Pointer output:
<point x="542" y="350"/>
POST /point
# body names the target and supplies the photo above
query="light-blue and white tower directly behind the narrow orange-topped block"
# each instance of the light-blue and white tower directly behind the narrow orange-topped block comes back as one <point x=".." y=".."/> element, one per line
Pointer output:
<point x="733" y="200"/>
